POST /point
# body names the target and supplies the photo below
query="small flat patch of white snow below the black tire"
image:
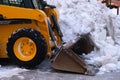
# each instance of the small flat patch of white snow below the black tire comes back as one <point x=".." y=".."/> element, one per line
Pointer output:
<point x="9" y="71"/>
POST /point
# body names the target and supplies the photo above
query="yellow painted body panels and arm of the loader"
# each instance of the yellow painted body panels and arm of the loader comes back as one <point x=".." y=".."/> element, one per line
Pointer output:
<point x="38" y="22"/>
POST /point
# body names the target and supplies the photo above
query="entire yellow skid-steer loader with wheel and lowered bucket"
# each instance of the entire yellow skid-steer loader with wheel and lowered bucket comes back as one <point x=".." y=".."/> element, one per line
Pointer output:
<point x="29" y="30"/>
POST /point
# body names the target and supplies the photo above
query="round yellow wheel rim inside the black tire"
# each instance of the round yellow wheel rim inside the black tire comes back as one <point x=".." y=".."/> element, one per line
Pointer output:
<point x="25" y="49"/>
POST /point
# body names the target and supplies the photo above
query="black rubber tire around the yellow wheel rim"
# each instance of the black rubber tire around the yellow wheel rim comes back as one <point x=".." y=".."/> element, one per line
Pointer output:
<point x="37" y="38"/>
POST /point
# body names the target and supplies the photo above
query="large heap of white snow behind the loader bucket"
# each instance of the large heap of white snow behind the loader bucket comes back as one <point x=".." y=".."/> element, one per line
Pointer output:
<point x="81" y="17"/>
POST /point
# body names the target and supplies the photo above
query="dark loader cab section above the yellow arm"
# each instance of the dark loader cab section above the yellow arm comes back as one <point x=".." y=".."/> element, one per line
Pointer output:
<point x="33" y="4"/>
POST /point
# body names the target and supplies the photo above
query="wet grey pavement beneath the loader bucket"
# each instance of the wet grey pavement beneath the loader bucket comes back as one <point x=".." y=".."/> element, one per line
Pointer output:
<point x="45" y="72"/>
